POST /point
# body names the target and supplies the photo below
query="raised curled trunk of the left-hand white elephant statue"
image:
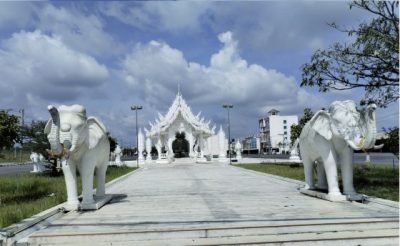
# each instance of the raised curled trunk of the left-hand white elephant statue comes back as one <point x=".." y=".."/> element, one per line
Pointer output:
<point x="54" y="135"/>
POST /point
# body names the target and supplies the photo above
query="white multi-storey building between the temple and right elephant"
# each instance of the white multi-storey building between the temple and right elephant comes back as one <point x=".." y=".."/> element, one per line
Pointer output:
<point x="275" y="132"/>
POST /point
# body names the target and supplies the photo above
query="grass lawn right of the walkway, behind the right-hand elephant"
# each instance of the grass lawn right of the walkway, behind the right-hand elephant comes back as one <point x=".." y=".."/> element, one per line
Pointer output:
<point x="373" y="180"/>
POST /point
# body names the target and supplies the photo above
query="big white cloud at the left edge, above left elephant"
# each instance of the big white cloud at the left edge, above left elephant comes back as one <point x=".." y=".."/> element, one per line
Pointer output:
<point x="35" y="65"/>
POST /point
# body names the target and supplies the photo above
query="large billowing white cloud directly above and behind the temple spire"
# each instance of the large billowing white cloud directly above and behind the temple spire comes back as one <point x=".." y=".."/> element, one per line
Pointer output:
<point x="155" y="69"/>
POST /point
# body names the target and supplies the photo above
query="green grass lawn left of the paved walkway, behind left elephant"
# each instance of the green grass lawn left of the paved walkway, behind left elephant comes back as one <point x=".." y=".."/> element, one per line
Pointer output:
<point x="24" y="195"/>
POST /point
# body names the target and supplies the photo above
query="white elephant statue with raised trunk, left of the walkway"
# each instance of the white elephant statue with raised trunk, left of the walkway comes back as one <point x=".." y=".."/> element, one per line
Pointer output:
<point x="80" y="142"/>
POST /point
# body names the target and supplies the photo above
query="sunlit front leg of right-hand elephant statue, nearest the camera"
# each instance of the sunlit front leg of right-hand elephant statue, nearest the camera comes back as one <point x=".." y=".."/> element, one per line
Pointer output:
<point x="331" y="176"/>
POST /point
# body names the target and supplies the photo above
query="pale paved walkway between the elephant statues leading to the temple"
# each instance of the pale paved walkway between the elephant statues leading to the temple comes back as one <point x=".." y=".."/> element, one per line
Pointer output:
<point x="213" y="204"/>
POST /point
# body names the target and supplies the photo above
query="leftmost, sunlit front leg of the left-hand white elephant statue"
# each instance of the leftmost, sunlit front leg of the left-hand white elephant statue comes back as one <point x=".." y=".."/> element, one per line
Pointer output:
<point x="69" y="170"/>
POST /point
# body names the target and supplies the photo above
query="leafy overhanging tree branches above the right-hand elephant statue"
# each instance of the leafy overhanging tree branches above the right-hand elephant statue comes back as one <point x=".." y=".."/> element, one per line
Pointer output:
<point x="371" y="61"/>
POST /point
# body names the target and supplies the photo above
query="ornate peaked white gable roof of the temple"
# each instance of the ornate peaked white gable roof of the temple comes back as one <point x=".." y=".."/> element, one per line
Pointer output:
<point x="180" y="107"/>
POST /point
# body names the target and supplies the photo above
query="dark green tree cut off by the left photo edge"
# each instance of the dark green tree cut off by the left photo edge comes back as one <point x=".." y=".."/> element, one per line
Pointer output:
<point x="8" y="129"/>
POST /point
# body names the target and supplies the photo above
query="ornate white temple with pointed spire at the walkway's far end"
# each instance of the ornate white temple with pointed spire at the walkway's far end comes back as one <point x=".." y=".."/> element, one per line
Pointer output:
<point x="179" y="133"/>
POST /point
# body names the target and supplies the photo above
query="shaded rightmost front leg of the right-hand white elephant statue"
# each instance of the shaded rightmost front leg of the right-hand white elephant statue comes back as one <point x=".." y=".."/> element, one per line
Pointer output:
<point x="346" y="161"/>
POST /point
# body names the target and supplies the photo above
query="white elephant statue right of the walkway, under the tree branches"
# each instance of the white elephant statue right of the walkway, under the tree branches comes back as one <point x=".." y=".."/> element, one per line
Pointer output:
<point x="329" y="138"/>
